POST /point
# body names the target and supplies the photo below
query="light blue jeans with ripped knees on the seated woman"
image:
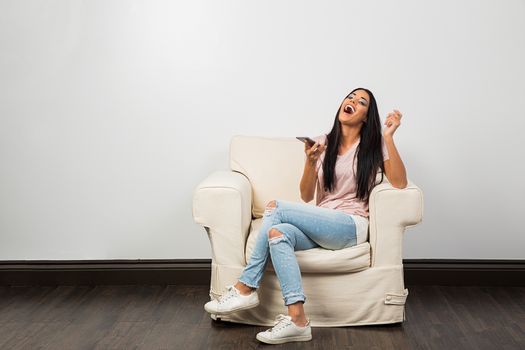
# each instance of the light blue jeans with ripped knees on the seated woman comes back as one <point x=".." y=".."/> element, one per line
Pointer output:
<point x="303" y="226"/>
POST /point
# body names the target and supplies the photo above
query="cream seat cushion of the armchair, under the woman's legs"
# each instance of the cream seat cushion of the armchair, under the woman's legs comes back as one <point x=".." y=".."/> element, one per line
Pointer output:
<point x="320" y="260"/>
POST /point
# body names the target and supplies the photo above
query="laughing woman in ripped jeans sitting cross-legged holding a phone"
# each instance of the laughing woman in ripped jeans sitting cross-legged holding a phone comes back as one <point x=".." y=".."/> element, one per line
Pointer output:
<point x="342" y="166"/>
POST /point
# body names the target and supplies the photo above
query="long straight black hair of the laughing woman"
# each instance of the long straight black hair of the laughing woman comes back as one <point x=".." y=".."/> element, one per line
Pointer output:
<point x="369" y="151"/>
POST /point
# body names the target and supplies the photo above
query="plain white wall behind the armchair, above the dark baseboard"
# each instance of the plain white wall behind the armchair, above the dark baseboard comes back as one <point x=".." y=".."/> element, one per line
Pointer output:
<point x="111" y="112"/>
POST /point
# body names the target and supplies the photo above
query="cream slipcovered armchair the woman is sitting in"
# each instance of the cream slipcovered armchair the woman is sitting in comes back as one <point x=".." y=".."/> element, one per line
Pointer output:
<point x="359" y="285"/>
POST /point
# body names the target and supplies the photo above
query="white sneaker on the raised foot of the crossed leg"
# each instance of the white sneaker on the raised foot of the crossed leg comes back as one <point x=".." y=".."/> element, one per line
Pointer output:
<point x="232" y="301"/>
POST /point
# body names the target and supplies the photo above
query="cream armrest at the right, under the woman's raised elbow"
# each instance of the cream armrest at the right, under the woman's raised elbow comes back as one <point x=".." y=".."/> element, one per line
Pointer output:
<point x="391" y="211"/>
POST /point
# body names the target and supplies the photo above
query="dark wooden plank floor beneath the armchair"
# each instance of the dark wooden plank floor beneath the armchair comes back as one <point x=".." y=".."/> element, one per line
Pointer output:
<point x="172" y="317"/>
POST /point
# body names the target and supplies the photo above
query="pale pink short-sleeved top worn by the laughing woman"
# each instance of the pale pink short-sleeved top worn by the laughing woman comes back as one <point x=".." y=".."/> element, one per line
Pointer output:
<point x="343" y="197"/>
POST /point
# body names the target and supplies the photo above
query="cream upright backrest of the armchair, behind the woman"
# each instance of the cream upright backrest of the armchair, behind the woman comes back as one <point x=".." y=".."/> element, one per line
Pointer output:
<point x="274" y="167"/>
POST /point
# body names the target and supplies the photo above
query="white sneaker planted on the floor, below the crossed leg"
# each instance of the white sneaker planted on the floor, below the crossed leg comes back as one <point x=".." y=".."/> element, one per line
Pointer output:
<point x="285" y="331"/>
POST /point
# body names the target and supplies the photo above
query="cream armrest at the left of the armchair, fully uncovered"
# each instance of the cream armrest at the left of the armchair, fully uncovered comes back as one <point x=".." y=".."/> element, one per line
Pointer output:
<point x="222" y="203"/>
